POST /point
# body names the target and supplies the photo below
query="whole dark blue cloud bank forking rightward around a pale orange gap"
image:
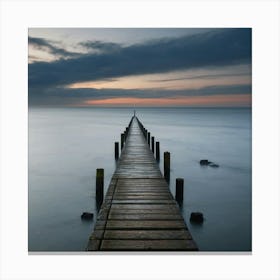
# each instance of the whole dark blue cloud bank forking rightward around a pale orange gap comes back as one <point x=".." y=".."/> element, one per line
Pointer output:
<point x="48" y="80"/>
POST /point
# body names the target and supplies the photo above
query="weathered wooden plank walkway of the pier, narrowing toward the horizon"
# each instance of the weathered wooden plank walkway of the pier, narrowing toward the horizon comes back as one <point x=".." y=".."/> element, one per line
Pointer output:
<point x="139" y="212"/>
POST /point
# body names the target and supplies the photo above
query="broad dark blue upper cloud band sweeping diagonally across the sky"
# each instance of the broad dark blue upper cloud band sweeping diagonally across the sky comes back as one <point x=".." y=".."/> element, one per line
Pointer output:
<point x="212" y="49"/>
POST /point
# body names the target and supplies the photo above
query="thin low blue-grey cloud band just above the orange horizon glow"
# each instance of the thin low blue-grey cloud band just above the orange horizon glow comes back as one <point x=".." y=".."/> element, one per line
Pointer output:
<point x="67" y="96"/>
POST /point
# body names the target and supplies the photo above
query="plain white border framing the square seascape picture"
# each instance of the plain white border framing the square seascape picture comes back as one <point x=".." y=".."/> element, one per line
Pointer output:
<point x="17" y="16"/>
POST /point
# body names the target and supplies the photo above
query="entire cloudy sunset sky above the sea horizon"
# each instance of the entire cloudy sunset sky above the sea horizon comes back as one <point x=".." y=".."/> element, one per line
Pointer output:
<point x="85" y="67"/>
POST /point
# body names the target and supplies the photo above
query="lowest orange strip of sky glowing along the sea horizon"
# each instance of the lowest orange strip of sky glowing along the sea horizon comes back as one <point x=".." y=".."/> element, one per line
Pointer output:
<point x="214" y="100"/>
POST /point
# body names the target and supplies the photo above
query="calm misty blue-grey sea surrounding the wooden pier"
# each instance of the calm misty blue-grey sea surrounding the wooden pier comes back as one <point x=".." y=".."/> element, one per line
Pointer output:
<point x="67" y="145"/>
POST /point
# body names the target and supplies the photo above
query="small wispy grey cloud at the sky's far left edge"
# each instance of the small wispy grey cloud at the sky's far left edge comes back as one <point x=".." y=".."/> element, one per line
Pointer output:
<point x="43" y="44"/>
